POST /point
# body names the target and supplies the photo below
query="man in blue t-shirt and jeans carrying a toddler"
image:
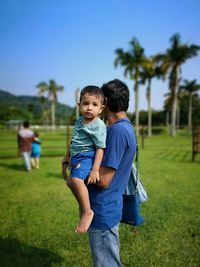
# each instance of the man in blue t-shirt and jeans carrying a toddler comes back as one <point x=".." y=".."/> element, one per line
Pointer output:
<point x="106" y="195"/>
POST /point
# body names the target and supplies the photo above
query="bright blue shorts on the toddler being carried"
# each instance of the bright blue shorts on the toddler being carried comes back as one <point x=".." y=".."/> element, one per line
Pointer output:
<point x="81" y="164"/>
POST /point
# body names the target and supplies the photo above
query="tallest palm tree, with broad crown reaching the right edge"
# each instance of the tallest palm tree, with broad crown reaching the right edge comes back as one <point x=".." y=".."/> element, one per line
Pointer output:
<point x="171" y="63"/>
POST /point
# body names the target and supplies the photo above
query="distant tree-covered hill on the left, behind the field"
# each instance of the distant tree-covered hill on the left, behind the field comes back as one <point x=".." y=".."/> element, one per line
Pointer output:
<point x="20" y="107"/>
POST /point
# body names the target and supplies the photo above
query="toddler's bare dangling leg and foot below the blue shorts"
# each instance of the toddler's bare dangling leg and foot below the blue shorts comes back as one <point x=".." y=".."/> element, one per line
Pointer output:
<point x="81" y="193"/>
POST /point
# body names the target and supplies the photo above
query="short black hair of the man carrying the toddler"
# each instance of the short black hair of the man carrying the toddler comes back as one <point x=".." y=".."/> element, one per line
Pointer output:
<point x="117" y="95"/>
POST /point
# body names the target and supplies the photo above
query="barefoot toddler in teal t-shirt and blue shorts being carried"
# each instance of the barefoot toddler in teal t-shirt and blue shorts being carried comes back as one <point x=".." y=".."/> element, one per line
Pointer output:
<point x="86" y="151"/>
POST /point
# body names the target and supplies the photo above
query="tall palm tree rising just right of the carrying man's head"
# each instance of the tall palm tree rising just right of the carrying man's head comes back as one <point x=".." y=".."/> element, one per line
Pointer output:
<point x="133" y="60"/>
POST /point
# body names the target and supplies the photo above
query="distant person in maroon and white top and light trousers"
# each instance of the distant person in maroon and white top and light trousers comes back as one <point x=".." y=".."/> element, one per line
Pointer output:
<point x="25" y="138"/>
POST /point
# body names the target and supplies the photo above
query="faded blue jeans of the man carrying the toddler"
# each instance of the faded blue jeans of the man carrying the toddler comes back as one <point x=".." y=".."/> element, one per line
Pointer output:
<point x="104" y="245"/>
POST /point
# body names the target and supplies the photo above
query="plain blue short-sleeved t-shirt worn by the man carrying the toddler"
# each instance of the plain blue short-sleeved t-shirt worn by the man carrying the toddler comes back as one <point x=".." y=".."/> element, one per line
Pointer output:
<point x="120" y="150"/>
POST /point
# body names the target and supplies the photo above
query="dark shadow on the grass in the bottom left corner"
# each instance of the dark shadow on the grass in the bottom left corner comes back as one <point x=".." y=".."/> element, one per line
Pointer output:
<point x="15" y="253"/>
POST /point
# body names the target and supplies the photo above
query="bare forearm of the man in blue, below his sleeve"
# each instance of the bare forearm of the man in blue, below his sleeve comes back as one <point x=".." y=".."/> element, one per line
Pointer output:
<point x="105" y="177"/>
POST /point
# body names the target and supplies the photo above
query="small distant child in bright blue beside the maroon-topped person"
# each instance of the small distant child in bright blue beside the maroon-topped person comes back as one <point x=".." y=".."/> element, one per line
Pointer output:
<point x="36" y="150"/>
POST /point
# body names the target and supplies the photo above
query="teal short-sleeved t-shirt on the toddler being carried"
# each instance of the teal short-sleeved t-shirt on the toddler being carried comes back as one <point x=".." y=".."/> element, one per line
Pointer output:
<point x="88" y="137"/>
